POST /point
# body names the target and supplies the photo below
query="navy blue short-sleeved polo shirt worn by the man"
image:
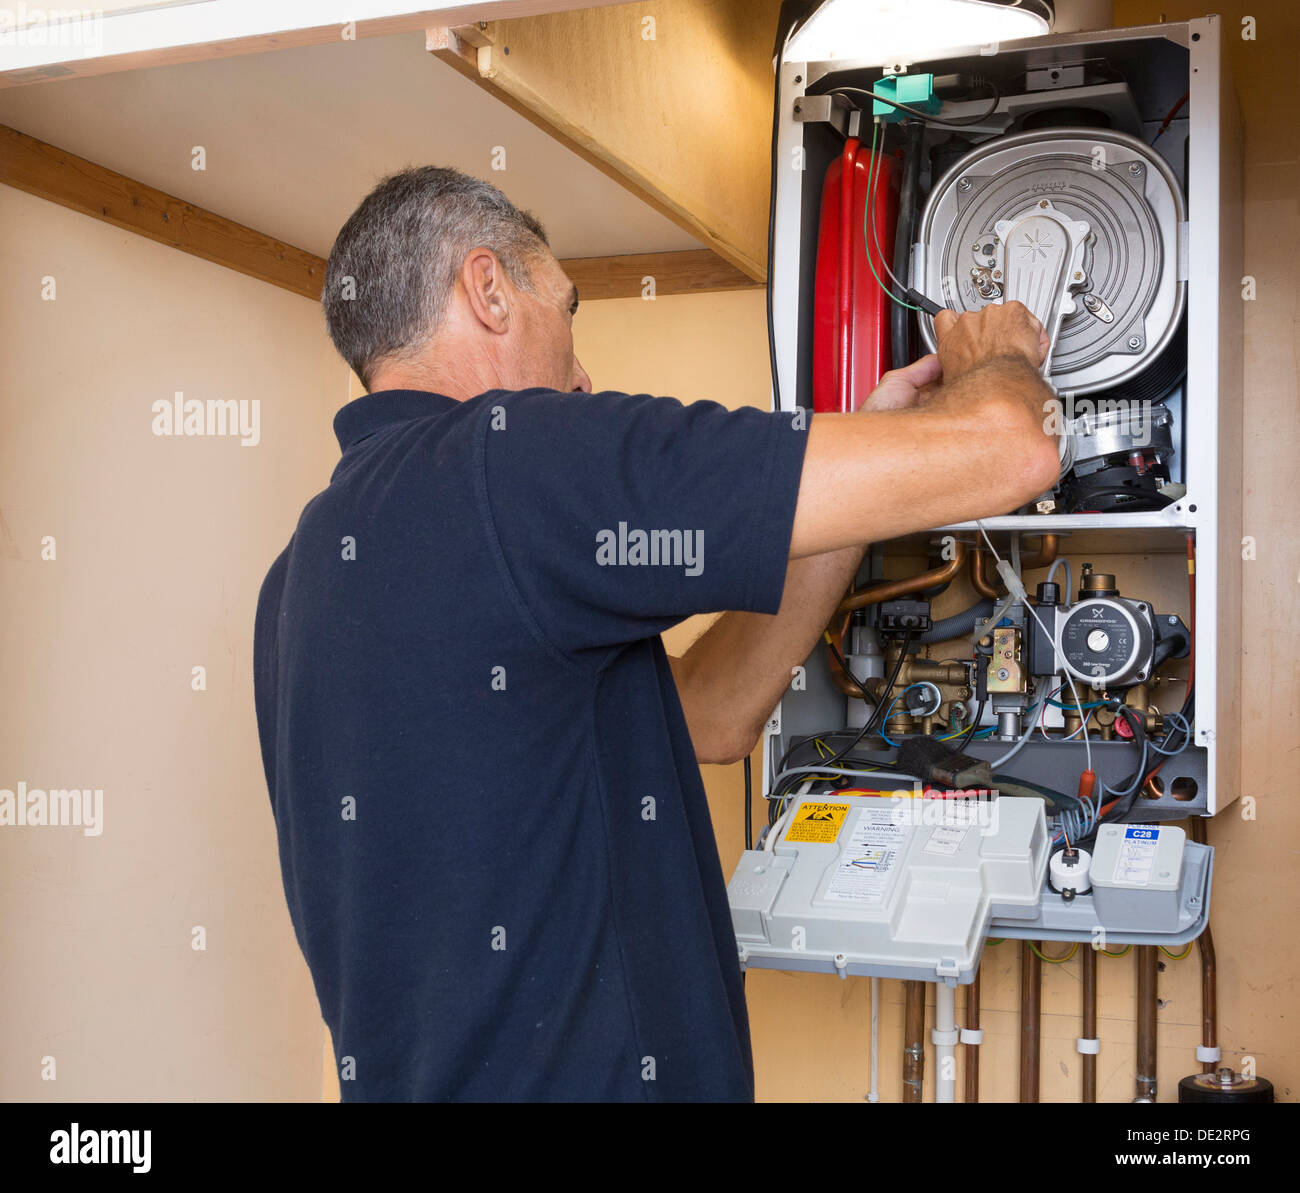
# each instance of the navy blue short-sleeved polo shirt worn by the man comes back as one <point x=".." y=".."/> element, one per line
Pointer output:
<point x="495" y="839"/>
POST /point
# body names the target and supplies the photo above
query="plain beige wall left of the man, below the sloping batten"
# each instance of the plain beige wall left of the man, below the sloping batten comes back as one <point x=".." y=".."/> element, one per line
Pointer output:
<point x="162" y="545"/>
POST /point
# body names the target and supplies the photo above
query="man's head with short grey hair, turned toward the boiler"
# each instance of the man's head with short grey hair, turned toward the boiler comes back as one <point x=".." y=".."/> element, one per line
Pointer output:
<point x="440" y="283"/>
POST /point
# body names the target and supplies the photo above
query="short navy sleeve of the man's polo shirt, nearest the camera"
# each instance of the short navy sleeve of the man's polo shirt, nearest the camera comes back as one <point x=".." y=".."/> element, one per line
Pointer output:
<point x="619" y="515"/>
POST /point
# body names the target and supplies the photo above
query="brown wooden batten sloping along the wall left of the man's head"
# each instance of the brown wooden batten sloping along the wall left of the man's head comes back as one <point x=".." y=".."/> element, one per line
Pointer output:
<point x="62" y="177"/>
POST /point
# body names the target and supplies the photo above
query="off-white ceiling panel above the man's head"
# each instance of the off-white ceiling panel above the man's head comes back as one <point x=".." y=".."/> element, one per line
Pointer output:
<point x="296" y="138"/>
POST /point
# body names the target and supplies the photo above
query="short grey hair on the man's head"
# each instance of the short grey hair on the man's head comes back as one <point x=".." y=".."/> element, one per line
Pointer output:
<point x="396" y="262"/>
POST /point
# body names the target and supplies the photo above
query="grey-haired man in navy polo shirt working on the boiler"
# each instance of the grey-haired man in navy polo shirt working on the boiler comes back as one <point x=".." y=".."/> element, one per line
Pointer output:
<point x="483" y="766"/>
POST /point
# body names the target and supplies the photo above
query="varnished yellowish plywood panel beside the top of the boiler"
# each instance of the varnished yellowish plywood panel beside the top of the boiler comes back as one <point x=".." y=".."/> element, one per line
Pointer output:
<point x="669" y="98"/>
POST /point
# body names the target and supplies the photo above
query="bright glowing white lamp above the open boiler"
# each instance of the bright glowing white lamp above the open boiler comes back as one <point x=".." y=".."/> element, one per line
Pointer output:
<point x="883" y="33"/>
